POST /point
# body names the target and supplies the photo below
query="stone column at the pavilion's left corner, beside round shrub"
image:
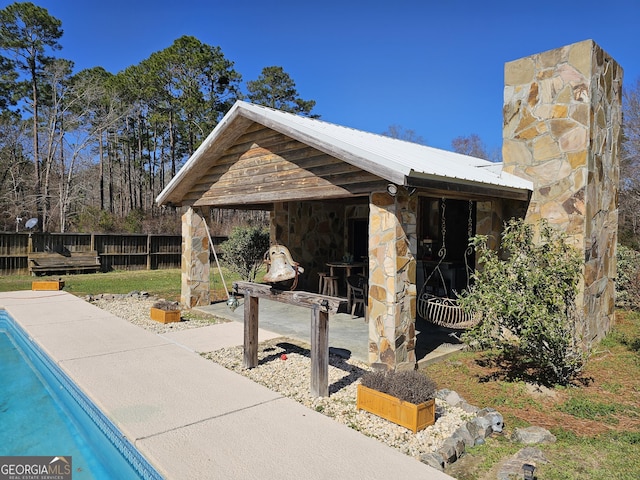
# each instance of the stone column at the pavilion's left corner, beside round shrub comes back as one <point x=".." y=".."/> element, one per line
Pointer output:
<point x="195" y="261"/>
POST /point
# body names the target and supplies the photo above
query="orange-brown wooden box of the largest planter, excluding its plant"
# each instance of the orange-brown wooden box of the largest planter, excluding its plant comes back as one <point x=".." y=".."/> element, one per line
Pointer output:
<point x="411" y="416"/>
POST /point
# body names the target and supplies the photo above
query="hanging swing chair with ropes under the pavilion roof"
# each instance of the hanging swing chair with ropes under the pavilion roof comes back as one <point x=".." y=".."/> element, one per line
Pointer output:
<point x="444" y="310"/>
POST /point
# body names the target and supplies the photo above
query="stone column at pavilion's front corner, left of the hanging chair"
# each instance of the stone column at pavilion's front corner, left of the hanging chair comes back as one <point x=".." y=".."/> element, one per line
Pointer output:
<point x="392" y="280"/>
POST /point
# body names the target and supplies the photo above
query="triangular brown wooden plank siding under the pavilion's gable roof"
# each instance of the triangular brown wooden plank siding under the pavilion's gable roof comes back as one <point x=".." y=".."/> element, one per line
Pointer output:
<point x="264" y="166"/>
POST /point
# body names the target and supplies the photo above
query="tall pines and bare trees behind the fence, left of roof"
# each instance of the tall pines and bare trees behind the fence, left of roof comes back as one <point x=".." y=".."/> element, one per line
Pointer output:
<point x="91" y="150"/>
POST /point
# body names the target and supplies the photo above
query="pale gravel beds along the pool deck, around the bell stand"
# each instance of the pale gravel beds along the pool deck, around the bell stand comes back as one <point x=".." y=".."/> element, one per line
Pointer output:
<point x="284" y="366"/>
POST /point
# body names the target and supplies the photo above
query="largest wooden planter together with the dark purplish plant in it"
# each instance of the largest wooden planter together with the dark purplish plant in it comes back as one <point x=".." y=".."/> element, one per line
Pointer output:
<point x="404" y="397"/>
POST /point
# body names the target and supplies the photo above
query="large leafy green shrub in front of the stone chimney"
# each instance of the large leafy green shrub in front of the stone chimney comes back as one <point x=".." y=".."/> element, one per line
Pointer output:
<point x="526" y="300"/>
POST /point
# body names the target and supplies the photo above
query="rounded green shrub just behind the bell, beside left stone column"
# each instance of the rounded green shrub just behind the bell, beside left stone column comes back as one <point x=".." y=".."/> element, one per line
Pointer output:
<point x="244" y="250"/>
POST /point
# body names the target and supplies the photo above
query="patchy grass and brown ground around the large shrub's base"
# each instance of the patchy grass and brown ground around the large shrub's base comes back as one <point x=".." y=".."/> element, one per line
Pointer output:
<point x="596" y="421"/>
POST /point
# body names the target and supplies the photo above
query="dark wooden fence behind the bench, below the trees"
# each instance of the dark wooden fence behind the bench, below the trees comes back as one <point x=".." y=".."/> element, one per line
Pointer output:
<point x="116" y="251"/>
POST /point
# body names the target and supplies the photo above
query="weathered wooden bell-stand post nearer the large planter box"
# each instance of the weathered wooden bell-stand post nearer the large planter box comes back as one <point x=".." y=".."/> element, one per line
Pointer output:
<point x="319" y="352"/>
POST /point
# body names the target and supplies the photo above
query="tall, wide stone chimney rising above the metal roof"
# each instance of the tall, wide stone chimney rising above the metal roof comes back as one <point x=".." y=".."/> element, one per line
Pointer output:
<point x="562" y="127"/>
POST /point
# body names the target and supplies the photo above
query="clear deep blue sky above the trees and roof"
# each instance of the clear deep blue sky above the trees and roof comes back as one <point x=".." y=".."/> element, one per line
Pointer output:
<point x="432" y="67"/>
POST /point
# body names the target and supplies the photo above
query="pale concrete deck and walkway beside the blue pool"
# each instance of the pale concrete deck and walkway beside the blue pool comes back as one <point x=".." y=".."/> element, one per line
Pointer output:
<point x="190" y="417"/>
